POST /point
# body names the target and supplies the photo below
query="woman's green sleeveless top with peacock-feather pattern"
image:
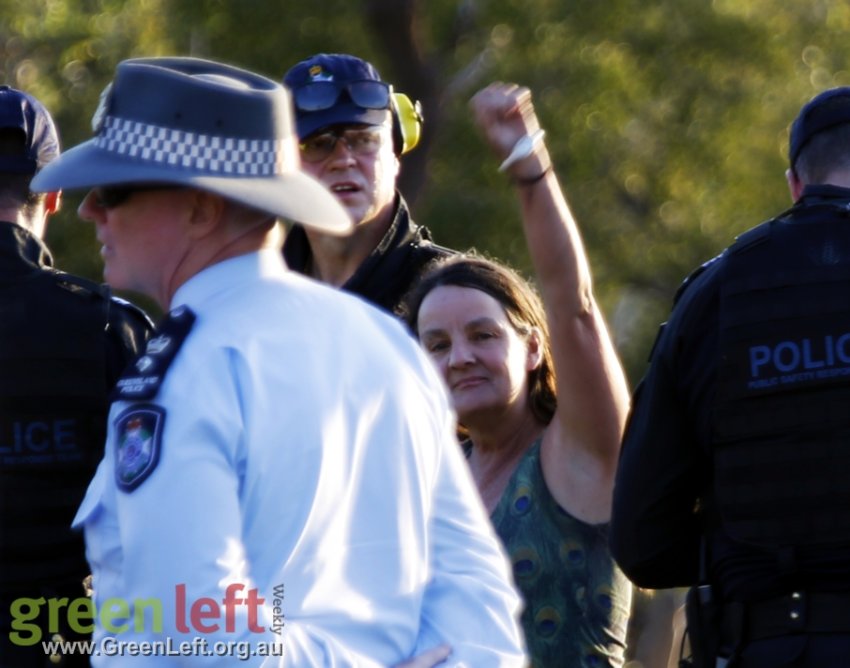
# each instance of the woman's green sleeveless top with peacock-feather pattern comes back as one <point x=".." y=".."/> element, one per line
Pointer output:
<point x="577" y="599"/>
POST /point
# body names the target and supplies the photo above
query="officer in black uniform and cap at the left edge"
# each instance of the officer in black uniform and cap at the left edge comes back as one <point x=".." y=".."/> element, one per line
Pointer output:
<point x="63" y="343"/>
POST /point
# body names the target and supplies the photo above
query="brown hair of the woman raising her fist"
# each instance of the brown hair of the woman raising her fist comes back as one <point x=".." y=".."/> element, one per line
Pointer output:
<point x="520" y="301"/>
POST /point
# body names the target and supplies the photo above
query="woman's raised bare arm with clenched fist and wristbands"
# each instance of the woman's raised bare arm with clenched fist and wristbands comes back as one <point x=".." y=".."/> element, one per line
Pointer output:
<point x="582" y="443"/>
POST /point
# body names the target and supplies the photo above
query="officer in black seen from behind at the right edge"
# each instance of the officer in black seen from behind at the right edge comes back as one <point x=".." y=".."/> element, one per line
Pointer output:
<point x="734" y="469"/>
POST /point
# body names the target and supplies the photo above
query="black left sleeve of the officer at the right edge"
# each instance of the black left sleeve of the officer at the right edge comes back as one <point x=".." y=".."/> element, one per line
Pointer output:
<point x="655" y="529"/>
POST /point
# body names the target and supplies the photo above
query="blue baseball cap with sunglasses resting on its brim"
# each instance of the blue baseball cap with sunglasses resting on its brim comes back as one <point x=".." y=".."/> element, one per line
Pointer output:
<point x="352" y="92"/>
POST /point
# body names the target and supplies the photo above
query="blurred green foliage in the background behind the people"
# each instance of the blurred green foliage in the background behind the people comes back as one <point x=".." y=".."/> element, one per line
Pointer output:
<point x="667" y="119"/>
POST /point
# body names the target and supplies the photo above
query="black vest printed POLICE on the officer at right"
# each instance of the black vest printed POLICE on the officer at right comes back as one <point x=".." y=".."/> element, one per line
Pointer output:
<point x="781" y="443"/>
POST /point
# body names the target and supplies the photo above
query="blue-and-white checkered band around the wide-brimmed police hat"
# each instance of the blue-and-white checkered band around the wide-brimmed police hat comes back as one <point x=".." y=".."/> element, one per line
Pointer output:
<point x="190" y="150"/>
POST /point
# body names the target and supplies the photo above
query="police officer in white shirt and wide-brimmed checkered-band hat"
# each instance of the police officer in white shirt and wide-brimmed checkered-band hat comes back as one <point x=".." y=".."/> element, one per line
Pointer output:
<point x="281" y="475"/>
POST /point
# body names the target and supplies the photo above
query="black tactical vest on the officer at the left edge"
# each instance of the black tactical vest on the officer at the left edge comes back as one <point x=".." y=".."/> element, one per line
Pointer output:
<point x="53" y="406"/>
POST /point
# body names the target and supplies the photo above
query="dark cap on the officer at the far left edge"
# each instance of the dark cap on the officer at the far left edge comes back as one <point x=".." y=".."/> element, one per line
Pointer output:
<point x="23" y="112"/>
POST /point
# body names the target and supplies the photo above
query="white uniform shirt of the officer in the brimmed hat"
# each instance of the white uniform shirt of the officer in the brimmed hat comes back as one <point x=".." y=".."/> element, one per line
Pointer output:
<point x="307" y="451"/>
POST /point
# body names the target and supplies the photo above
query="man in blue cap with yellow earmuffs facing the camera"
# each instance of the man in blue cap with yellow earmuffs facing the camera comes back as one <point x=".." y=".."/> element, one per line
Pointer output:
<point x="353" y="130"/>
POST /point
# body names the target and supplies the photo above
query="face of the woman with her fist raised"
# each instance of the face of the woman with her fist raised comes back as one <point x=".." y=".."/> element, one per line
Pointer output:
<point x="483" y="359"/>
